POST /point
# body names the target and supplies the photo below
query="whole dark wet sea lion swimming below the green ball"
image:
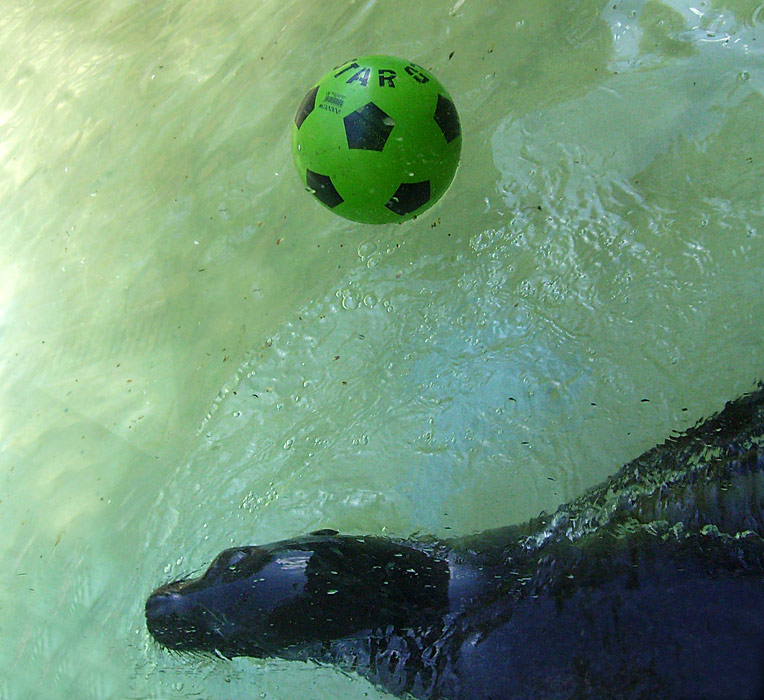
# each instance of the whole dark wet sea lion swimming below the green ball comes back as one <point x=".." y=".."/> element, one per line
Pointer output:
<point x="649" y="586"/>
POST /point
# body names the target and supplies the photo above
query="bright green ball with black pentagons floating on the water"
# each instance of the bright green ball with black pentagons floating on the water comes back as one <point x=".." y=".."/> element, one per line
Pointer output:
<point x="377" y="140"/>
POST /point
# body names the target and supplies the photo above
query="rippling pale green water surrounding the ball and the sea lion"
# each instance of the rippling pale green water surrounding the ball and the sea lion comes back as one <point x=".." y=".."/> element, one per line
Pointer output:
<point x="193" y="353"/>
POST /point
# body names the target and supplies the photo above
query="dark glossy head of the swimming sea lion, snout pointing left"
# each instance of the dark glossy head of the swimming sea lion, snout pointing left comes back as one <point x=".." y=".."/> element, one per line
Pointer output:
<point x="273" y="599"/>
